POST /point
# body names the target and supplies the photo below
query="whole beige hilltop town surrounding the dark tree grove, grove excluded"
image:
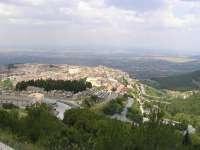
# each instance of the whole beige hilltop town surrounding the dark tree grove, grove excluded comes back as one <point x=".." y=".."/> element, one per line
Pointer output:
<point x="107" y="83"/>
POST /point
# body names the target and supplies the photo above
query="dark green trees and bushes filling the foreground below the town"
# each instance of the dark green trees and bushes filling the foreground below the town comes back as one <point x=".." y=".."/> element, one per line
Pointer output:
<point x="82" y="129"/>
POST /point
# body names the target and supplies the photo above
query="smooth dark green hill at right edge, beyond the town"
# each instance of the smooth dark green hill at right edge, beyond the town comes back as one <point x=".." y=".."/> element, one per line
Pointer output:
<point x="184" y="82"/>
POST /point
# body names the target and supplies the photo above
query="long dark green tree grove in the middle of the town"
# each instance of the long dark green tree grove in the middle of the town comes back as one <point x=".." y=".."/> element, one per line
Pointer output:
<point x="49" y="84"/>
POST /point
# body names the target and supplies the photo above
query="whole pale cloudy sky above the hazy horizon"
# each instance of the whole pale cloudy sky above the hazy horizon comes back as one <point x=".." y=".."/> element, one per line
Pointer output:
<point x="120" y="24"/>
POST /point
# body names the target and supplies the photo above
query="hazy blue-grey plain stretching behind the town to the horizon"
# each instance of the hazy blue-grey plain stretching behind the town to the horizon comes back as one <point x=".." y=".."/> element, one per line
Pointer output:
<point x="140" y="66"/>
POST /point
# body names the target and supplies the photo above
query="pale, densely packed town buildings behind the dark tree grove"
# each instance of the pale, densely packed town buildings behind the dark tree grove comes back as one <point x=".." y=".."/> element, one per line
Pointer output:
<point x="108" y="78"/>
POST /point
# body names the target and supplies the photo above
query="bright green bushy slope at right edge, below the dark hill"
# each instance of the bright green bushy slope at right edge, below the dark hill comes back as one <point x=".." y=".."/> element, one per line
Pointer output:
<point x="185" y="110"/>
